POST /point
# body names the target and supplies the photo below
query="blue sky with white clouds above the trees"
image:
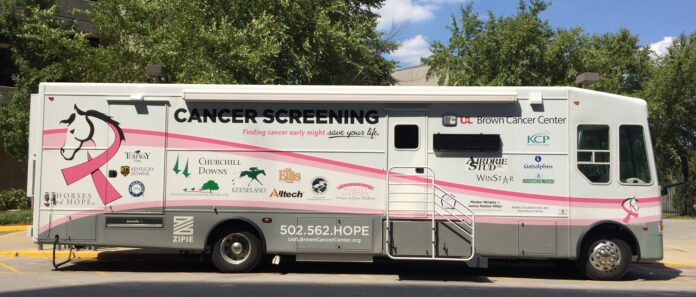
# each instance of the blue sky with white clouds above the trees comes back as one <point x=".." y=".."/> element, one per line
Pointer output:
<point x="417" y="23"/>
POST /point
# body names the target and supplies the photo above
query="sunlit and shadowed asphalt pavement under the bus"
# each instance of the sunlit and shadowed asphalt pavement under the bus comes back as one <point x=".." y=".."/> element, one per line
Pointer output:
<point x="191" y="275"/>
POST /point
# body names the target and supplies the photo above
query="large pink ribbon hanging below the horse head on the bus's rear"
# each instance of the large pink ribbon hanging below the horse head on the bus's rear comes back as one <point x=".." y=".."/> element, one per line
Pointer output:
<point x="106" y="191"/>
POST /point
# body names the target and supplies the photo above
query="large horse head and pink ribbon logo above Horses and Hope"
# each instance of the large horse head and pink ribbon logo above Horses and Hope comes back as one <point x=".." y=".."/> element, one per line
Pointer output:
<point x="81" y="128"/>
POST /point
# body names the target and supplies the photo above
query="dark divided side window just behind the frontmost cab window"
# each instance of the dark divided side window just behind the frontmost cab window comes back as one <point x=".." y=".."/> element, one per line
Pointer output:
<point x="593" y="152"/>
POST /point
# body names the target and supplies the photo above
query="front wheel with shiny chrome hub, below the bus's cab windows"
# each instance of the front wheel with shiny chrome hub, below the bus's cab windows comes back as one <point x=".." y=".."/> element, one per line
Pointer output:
<point x="594" y="268"/>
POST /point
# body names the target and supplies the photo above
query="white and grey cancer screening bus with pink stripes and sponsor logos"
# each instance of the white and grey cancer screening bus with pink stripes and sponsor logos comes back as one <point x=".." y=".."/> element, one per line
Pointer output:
<point x="327" y="173"/>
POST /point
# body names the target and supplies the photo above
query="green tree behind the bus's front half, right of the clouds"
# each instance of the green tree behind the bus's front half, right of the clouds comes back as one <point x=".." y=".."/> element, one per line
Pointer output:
<point x="523" y="50"/>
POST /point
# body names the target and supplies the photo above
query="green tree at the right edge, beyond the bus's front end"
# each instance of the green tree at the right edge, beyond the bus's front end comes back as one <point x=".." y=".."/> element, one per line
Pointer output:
<point x="671" y="94"/>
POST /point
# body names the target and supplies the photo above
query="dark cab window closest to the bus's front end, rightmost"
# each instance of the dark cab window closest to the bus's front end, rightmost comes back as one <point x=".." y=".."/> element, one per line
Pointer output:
<point x="633" y="167"/>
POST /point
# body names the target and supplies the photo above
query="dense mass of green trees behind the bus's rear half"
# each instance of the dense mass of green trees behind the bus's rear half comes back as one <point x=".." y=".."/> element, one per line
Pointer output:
<point x="210" y="41"/>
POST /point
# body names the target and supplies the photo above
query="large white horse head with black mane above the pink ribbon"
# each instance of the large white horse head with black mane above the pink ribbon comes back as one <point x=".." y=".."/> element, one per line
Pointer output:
<point x="81" y="130"/>
